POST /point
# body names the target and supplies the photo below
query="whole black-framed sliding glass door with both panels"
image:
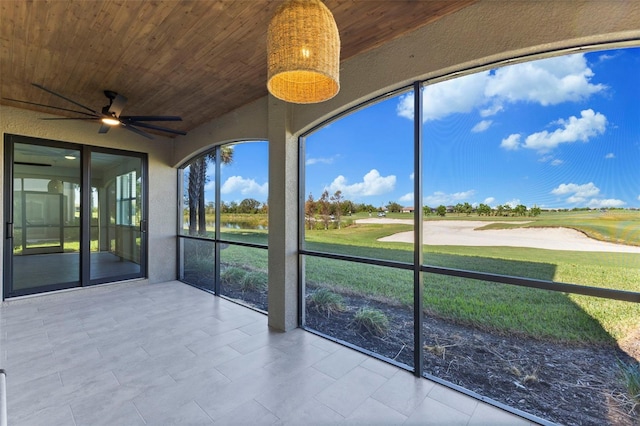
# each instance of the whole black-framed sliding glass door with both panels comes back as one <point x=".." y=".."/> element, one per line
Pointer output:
<point x="74" y="215"/>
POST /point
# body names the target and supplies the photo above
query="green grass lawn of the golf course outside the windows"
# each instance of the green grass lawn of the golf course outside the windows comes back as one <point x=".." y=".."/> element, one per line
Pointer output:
<point x="498" y="307"/>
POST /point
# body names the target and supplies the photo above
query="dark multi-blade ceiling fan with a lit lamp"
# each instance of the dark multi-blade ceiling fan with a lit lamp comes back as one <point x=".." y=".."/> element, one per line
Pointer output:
<point x="110" y="116"/>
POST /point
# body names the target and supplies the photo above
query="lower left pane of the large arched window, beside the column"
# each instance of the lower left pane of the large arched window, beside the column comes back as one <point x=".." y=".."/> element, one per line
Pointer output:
<point x="367" y="306"/>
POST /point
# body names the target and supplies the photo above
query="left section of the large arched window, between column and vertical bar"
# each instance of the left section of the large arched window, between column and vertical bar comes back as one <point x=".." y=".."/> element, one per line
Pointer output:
<point x="359" y="287"/>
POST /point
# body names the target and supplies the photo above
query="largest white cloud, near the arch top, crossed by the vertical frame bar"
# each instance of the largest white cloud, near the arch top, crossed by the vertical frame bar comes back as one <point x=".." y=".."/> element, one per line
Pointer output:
<point x="549" y="81"/>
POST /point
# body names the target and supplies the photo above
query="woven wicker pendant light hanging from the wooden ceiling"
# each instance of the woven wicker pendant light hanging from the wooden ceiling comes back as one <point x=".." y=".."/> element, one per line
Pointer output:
<point x="303" y="53"/>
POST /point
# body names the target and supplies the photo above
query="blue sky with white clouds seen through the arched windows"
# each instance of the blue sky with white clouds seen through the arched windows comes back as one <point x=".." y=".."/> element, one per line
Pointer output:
<point x="561" y="132"/>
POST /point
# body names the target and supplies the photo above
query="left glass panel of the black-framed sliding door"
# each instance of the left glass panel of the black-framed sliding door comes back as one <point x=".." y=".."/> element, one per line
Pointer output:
<point x="46" y="204"/>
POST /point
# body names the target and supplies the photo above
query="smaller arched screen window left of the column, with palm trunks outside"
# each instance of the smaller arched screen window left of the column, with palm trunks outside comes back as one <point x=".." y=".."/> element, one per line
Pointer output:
<point x="224" y="225"/>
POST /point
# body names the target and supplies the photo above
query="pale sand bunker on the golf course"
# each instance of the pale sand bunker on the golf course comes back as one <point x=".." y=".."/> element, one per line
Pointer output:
<point x="463" y="233"/>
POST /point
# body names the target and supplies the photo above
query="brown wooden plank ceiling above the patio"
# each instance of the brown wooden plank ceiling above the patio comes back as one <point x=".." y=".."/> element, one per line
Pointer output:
<point x="195" y="59"/>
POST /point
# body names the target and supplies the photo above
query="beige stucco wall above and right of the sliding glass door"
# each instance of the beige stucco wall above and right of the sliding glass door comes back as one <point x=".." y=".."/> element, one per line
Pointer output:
<point x="162" y="177"/>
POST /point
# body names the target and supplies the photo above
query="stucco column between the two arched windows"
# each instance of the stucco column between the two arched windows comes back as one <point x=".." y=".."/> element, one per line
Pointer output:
<point x="283" y="218"/>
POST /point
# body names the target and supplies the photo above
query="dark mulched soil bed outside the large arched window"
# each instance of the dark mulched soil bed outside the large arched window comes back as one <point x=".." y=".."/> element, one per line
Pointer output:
<point x="571" y="385"/>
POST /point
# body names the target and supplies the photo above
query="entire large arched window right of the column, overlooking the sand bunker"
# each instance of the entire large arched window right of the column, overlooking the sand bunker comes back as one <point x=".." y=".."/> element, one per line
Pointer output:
<point x="528" y="220"/>
